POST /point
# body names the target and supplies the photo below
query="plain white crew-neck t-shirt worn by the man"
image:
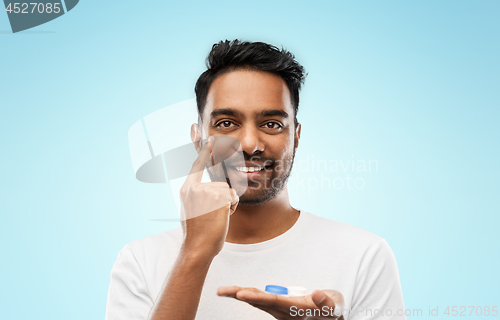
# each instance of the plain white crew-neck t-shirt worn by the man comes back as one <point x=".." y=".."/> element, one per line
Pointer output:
<point x="316" y="253"/>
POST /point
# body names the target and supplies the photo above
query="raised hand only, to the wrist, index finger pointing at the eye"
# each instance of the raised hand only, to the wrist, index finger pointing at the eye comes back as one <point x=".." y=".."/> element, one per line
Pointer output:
<point x="205" y="209"/>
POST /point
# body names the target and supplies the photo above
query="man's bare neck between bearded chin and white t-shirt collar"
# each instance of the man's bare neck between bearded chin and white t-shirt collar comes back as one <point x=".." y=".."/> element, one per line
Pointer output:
<point x="253" y="224"/>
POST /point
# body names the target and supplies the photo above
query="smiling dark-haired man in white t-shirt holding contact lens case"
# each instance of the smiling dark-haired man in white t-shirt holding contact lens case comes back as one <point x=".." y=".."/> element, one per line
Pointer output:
<point x="211" y="267"/>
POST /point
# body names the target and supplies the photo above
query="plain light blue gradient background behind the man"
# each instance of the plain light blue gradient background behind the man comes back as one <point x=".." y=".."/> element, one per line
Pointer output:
<point x="411" y="84"/>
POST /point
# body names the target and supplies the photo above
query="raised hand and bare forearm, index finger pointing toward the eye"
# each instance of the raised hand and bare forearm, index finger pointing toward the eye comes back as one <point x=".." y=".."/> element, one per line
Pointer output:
<point x="206" y="208"/>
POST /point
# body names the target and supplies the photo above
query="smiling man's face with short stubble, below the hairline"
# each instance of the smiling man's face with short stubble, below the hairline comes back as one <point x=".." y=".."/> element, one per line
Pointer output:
<point x="255" y="108"/>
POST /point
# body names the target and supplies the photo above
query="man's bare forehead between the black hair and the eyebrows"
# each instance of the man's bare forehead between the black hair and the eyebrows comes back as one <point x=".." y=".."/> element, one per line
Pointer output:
<point x="249" y="92"/>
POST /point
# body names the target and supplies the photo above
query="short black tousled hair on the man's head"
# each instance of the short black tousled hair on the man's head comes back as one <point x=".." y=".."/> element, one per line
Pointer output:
<point x="227" y="56"/>
